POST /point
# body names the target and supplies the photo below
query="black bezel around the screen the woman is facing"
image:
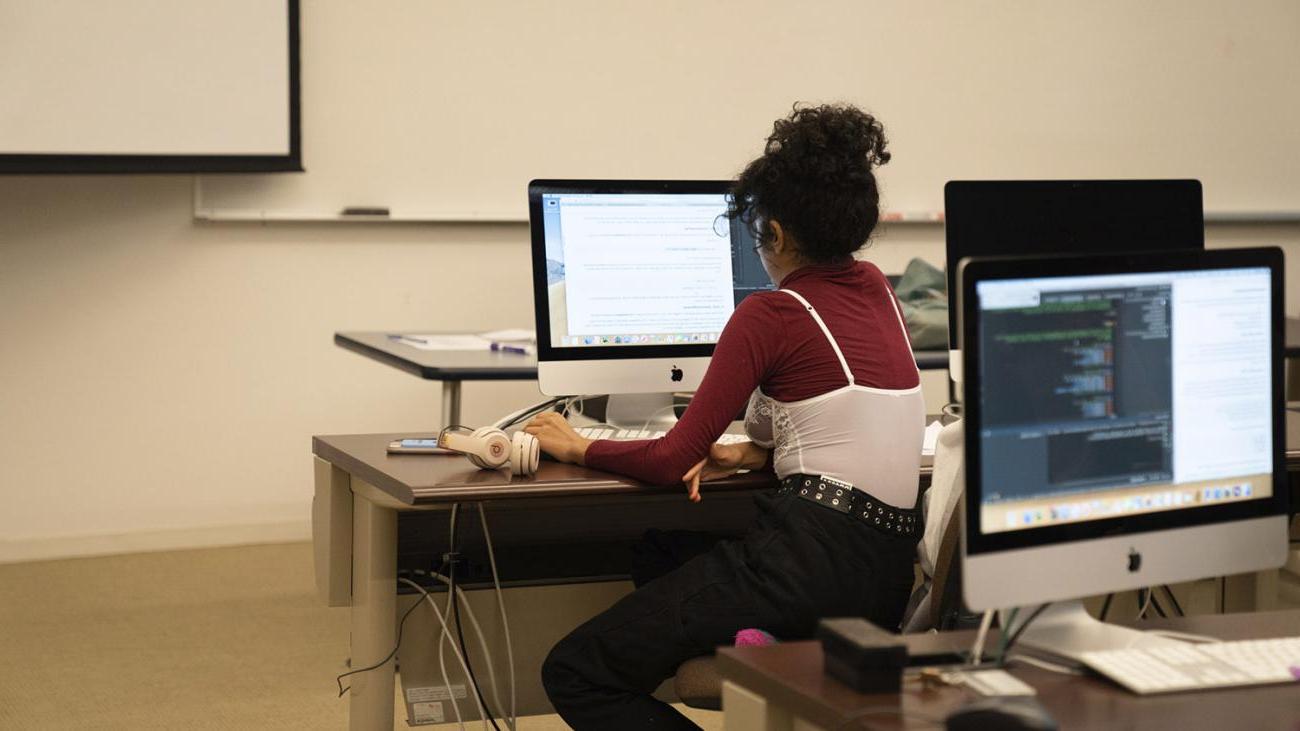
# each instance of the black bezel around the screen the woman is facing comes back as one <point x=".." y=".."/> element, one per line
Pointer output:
<point x="541" y="305"/>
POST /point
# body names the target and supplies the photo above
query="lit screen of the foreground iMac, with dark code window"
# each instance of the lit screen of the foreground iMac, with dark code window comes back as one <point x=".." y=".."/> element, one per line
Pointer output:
<point x="1117" y="395"/>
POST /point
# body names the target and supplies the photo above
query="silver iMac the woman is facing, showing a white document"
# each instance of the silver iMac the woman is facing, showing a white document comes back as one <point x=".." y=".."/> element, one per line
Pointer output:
<point x="634" y="282"/>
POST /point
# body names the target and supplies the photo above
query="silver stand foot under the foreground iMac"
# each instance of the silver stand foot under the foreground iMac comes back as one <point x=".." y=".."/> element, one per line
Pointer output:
<point x="1067" y="630"/>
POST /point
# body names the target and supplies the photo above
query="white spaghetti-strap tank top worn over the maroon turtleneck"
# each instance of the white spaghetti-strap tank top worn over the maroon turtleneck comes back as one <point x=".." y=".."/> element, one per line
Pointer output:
<point x="868" y="438"/>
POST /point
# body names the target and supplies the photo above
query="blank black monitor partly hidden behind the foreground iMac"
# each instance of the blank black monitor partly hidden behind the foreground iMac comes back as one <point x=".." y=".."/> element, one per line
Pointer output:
<point x="1034" y="218"/>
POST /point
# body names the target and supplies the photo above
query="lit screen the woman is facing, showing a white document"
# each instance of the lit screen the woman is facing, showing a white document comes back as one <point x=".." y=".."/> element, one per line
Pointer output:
<point x="631" y="269"/>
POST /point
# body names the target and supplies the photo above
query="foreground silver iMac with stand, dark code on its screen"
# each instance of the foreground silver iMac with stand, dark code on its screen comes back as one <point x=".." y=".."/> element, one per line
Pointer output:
<point x="1124" y="430"/>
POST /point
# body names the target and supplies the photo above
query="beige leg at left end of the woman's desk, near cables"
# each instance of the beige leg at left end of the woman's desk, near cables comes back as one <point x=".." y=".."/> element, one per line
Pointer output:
<point x="375" y="566"/>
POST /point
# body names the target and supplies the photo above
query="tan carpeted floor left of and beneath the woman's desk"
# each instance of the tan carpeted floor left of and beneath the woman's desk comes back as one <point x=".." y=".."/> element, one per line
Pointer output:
<point x="201" y="639"/>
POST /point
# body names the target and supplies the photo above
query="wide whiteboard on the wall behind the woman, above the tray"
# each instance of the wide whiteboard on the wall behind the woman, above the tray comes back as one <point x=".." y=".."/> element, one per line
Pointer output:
<point x="447" y="110"/>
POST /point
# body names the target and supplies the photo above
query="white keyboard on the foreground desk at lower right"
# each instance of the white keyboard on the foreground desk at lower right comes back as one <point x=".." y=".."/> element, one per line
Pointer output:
<point x="1189" y="668"/>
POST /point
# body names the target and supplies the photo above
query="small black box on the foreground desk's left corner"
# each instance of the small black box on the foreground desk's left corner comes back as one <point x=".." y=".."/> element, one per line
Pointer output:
<point x="863" y="656"/>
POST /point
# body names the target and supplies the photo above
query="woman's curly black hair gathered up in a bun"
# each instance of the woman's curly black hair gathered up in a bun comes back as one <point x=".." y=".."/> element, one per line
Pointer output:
<point x="816" y="178"/>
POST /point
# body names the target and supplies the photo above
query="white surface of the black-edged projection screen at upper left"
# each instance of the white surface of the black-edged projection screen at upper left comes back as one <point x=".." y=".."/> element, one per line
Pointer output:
<point x="145" y="77"/>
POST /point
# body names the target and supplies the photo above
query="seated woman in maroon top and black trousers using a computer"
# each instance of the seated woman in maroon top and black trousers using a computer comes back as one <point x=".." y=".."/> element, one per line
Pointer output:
<point x="835" y="409"/>
